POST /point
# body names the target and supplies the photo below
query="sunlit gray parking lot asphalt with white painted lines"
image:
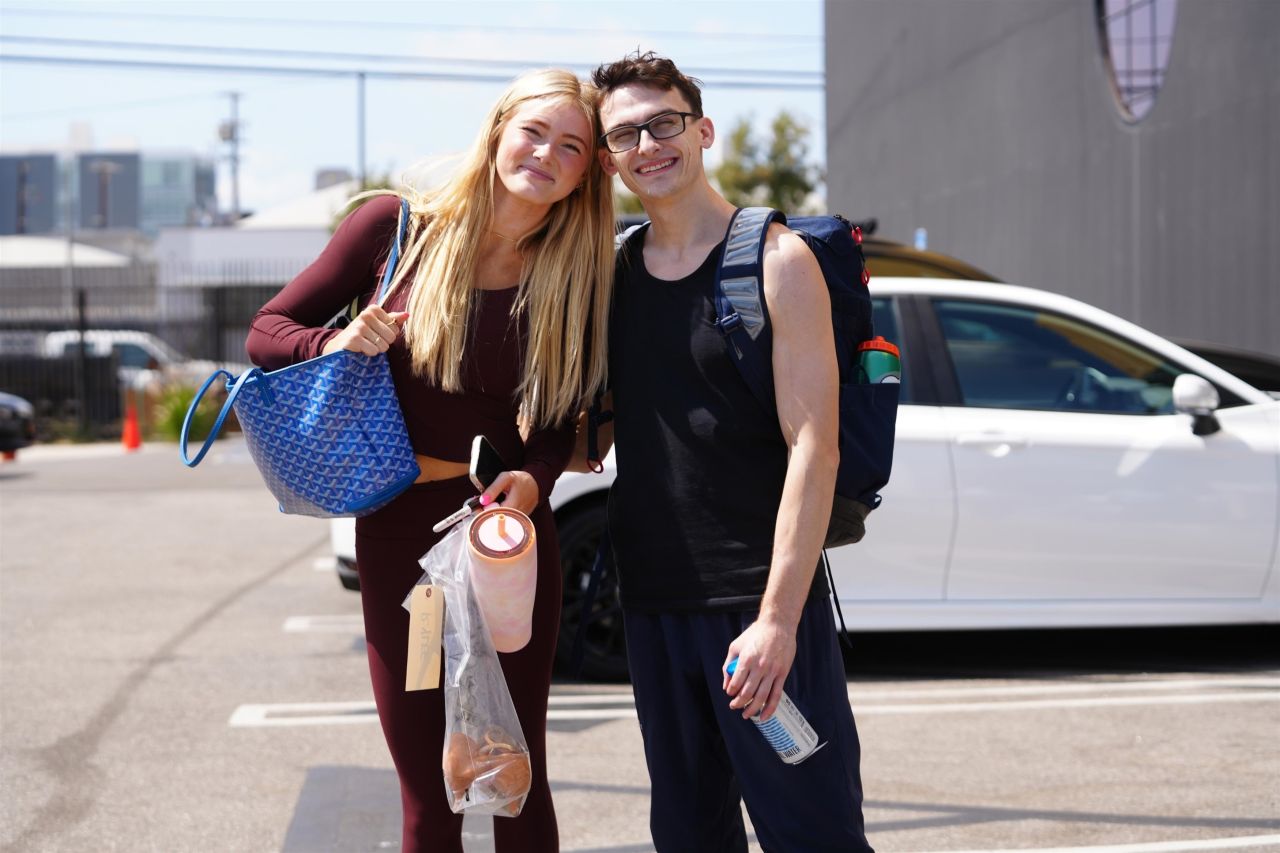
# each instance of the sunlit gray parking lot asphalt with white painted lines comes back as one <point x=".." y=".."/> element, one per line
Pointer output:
<point x="182" y="672"/>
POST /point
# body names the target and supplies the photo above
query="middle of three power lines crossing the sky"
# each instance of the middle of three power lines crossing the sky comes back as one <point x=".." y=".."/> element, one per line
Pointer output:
<point x="374" y="58"/>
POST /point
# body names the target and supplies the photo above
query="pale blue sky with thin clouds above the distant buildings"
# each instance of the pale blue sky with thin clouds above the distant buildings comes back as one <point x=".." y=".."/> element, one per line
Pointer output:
<point x="294" y="126"/>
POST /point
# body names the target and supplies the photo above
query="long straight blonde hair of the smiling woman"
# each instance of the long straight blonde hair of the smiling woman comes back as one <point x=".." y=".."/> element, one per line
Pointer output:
<point x="565" y="285"/>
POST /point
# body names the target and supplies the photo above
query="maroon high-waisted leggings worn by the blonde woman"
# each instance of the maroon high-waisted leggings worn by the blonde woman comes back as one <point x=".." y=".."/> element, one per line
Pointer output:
<point x="388" y="546"/>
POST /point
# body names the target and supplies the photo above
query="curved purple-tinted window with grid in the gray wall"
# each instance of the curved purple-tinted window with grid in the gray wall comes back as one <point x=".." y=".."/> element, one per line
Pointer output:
<point x="1136" y="40"/>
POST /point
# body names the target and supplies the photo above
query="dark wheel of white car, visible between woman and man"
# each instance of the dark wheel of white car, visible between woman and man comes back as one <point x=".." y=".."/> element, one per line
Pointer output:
<point x="605" y="654"/>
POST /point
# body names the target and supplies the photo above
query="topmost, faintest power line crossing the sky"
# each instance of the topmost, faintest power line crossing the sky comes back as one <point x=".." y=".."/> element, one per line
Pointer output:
<point x="409" y="25"/>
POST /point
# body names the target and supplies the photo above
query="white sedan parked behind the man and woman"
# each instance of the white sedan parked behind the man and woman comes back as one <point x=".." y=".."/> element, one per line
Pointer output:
<point x="1054" y="467"/>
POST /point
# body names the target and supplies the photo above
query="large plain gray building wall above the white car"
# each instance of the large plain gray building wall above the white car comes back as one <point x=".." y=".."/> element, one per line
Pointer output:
<point x="993" y="125"/>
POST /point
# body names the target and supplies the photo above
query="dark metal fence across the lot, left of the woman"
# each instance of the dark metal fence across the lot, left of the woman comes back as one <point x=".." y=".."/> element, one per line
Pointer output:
<point x="203" y="318"/>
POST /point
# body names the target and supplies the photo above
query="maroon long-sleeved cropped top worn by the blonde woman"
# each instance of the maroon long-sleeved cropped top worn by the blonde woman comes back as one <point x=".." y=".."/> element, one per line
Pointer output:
<point x="441" y="425"/>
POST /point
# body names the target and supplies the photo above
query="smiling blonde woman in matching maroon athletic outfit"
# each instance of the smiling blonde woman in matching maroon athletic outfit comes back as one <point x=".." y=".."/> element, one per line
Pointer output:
<point x="496" y="326"/>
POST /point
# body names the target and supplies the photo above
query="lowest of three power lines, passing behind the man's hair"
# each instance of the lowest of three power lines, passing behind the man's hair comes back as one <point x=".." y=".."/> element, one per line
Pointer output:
<point x="298" y="71"/>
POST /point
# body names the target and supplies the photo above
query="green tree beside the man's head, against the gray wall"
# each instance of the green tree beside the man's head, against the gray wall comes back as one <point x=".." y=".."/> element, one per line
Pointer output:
<point x="779" y="175"/>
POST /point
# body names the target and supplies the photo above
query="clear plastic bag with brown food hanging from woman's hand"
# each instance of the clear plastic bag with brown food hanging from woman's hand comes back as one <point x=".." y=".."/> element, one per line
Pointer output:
<point x="486" y="765"/>
